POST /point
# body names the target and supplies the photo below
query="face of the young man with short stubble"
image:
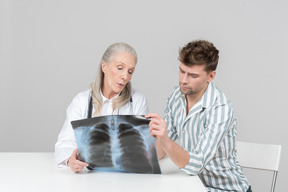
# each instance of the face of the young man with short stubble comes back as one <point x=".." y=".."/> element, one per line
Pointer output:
<point x="193" y="80"/>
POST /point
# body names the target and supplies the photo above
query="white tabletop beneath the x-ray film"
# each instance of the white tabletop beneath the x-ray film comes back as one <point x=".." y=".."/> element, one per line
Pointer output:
<point x="38" y="172"/>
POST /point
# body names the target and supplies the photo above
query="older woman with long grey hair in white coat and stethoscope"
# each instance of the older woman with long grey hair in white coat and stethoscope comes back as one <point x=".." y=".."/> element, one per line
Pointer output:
<point x="110" y="94"/>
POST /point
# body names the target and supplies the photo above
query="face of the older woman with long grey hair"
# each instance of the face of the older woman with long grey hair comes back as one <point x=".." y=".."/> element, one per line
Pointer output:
<point x="117" y="73"/>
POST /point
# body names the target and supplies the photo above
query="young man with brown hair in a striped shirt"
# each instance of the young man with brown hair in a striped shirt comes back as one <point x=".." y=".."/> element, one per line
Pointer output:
<point x="202" y="121"/>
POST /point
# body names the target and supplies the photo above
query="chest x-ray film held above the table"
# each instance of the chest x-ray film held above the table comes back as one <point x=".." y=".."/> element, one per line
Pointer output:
<point x="117" y="143"/>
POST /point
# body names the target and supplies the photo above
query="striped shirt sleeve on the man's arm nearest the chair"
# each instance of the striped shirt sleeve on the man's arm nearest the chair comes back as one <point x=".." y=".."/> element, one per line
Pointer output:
<point x="219" y="121"/>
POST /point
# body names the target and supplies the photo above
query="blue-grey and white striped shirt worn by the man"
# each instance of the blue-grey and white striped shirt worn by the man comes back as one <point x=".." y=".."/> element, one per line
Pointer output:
<point x="208" y="133"/>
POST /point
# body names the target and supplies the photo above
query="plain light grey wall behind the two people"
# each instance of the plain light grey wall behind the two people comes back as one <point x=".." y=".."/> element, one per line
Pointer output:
<point x="49" y="51"/>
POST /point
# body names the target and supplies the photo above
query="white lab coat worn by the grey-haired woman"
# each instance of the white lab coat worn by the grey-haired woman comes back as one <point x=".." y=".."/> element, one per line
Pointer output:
<point x="78" y="109"/>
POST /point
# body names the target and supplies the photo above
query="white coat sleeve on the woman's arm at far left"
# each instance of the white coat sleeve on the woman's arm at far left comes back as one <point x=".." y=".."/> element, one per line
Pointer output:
<point x="66" y="142"/>
